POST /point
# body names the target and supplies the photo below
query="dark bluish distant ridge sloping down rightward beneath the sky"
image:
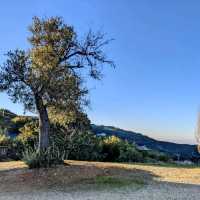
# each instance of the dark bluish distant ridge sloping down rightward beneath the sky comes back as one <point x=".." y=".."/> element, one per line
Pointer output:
<point x="182" y="151"/>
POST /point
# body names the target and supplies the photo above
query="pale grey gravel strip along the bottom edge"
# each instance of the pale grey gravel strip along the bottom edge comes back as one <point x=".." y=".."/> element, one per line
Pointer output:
<point x="161" y="191"/>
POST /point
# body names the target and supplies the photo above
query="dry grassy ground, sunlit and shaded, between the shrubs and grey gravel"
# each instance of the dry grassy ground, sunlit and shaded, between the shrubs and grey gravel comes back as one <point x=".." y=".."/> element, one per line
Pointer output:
<point x="16" y="176"/>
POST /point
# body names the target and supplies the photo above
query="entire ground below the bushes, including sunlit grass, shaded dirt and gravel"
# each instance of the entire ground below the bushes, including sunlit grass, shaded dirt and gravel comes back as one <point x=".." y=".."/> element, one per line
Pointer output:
<point x="78" y="181"/>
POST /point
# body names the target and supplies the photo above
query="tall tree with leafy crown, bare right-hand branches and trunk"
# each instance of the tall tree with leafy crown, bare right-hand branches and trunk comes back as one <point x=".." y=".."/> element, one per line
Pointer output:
<point x="48" y="75"/>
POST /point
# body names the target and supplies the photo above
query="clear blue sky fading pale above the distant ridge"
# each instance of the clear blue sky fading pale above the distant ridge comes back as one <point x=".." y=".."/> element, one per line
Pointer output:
<point x="155" y="88"/>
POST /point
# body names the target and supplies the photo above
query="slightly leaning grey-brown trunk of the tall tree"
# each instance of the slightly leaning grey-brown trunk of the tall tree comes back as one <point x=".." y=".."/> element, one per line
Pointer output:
<point x="44" y="126"/>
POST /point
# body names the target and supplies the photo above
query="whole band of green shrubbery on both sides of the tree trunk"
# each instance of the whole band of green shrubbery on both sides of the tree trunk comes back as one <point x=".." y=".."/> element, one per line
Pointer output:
<point x="73" y="140"/>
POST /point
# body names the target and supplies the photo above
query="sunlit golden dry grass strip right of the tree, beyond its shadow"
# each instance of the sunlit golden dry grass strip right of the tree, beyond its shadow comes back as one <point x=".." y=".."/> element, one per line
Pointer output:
<point x="189" y="175"/>
